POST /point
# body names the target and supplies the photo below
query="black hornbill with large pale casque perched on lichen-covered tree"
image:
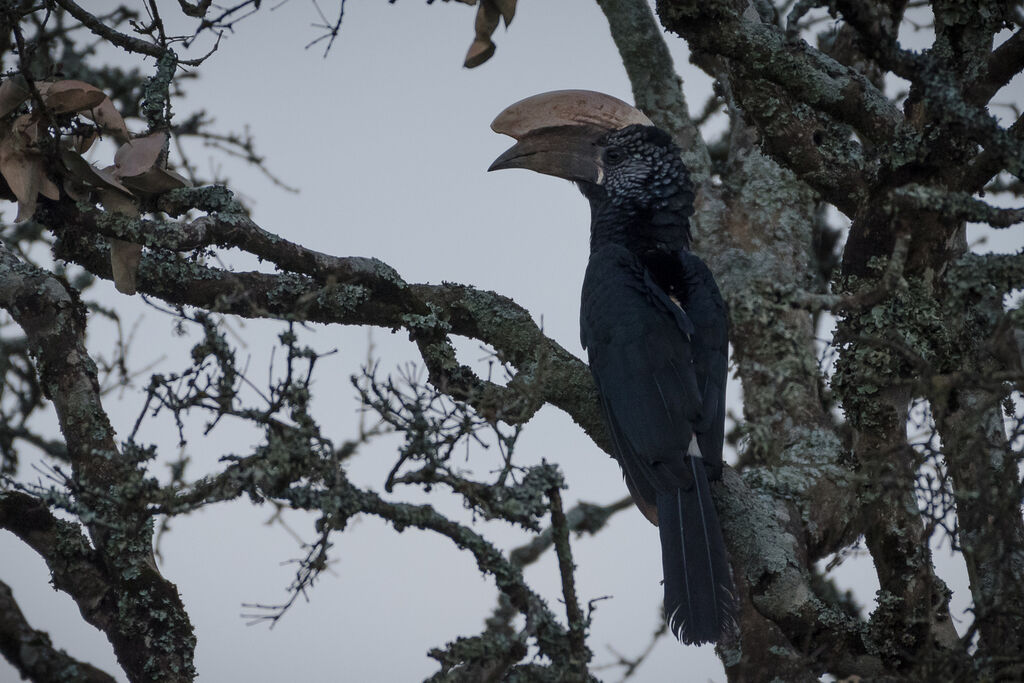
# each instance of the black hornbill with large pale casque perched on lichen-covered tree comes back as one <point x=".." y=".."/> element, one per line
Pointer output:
<point x="655" y="327"/>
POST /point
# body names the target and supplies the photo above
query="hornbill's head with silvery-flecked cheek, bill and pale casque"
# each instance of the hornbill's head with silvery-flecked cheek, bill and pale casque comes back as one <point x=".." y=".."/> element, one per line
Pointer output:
<point x="620" y="160"/>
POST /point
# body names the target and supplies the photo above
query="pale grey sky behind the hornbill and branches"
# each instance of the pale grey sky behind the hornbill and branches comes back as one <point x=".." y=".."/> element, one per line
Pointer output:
<point x="389" y="141"/>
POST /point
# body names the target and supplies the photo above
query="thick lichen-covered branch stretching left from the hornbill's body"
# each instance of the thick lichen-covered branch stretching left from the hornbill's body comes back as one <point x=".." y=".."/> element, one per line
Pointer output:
<point x="348" y="291"/>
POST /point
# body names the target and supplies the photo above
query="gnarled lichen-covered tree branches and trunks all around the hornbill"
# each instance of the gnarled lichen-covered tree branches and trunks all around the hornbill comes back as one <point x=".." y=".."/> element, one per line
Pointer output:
<point x="838" y="135"/>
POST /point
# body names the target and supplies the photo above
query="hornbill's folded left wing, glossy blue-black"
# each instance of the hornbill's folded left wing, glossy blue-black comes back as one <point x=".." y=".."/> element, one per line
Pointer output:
<point x="642" y="359"/>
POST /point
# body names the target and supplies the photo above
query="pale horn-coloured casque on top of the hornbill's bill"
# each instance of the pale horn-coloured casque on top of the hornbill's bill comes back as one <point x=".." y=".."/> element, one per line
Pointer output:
<point x="568" y="108"/>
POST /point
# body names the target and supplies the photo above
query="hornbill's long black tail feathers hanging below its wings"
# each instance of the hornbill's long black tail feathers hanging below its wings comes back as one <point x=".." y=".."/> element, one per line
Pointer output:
<point x="699" y="596"/>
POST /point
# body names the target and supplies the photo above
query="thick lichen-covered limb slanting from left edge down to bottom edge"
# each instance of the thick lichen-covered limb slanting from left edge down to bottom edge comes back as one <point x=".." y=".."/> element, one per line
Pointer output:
<point x="147" y="623"/>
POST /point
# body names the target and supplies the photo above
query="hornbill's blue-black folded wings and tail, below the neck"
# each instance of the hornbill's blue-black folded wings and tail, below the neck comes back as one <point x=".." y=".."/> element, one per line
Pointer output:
<point x="661" y="370"/>
